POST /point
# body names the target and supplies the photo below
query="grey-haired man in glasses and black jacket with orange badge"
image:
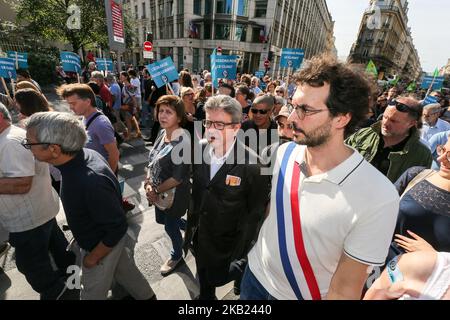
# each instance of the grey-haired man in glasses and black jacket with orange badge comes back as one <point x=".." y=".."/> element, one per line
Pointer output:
<point x="230" y="196"/>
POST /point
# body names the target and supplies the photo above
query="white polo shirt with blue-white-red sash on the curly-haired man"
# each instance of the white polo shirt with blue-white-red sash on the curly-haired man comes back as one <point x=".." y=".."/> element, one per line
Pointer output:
<point x="350" y="209"/>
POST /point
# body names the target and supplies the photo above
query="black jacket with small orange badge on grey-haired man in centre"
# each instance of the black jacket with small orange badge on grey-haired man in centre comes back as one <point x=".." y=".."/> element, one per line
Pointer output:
<point x="226" y="218"/>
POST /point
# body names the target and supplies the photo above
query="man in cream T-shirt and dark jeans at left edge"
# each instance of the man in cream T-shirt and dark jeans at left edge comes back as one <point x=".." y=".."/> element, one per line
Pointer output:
<point x="28" y="207"/>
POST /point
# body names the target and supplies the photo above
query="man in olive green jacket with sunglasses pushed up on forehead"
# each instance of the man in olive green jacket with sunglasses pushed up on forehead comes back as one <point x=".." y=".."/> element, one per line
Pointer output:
<point x="393" y="145"/>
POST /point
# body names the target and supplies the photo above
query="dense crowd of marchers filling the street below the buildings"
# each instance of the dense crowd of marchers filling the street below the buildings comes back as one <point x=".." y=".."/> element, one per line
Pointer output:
<point x="295" y="188"/>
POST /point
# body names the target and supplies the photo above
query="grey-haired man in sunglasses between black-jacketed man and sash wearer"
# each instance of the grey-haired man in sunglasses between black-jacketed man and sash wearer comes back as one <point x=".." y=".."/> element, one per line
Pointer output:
<point x="260" y="131"/>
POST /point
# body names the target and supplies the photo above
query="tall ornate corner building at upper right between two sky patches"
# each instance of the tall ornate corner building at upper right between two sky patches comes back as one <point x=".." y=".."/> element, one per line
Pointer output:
<point x="385" y="38"/>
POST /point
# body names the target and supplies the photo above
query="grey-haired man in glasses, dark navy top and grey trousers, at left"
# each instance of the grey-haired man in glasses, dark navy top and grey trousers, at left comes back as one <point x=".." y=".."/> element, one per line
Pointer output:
<point x="92" y="202"/>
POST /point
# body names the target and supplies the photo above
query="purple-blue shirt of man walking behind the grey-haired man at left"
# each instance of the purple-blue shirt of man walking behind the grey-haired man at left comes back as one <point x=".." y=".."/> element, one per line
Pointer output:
<point x="100" y="132"/>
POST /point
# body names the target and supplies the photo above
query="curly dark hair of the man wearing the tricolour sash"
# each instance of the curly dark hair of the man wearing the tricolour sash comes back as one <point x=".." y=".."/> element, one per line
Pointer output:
<point x="350" y="89"/>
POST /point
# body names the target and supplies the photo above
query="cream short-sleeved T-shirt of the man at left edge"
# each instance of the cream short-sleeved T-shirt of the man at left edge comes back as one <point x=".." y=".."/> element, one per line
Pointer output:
<point x="22" y="212"/>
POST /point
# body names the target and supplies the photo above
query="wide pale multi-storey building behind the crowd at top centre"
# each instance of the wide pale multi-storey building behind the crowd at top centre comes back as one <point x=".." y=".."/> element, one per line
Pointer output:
<point x="254" y="30"/>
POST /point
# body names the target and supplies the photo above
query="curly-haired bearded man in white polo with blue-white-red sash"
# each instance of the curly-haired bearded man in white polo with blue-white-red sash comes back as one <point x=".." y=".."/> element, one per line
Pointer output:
<point x="332" y="214"/>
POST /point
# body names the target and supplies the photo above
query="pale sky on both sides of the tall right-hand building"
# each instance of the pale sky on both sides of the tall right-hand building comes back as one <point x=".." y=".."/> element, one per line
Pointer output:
<point x="428" y="20"/>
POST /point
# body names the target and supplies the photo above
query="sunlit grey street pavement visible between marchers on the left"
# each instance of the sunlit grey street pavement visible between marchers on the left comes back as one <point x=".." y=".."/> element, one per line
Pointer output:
<point x="151" y="249"/>
